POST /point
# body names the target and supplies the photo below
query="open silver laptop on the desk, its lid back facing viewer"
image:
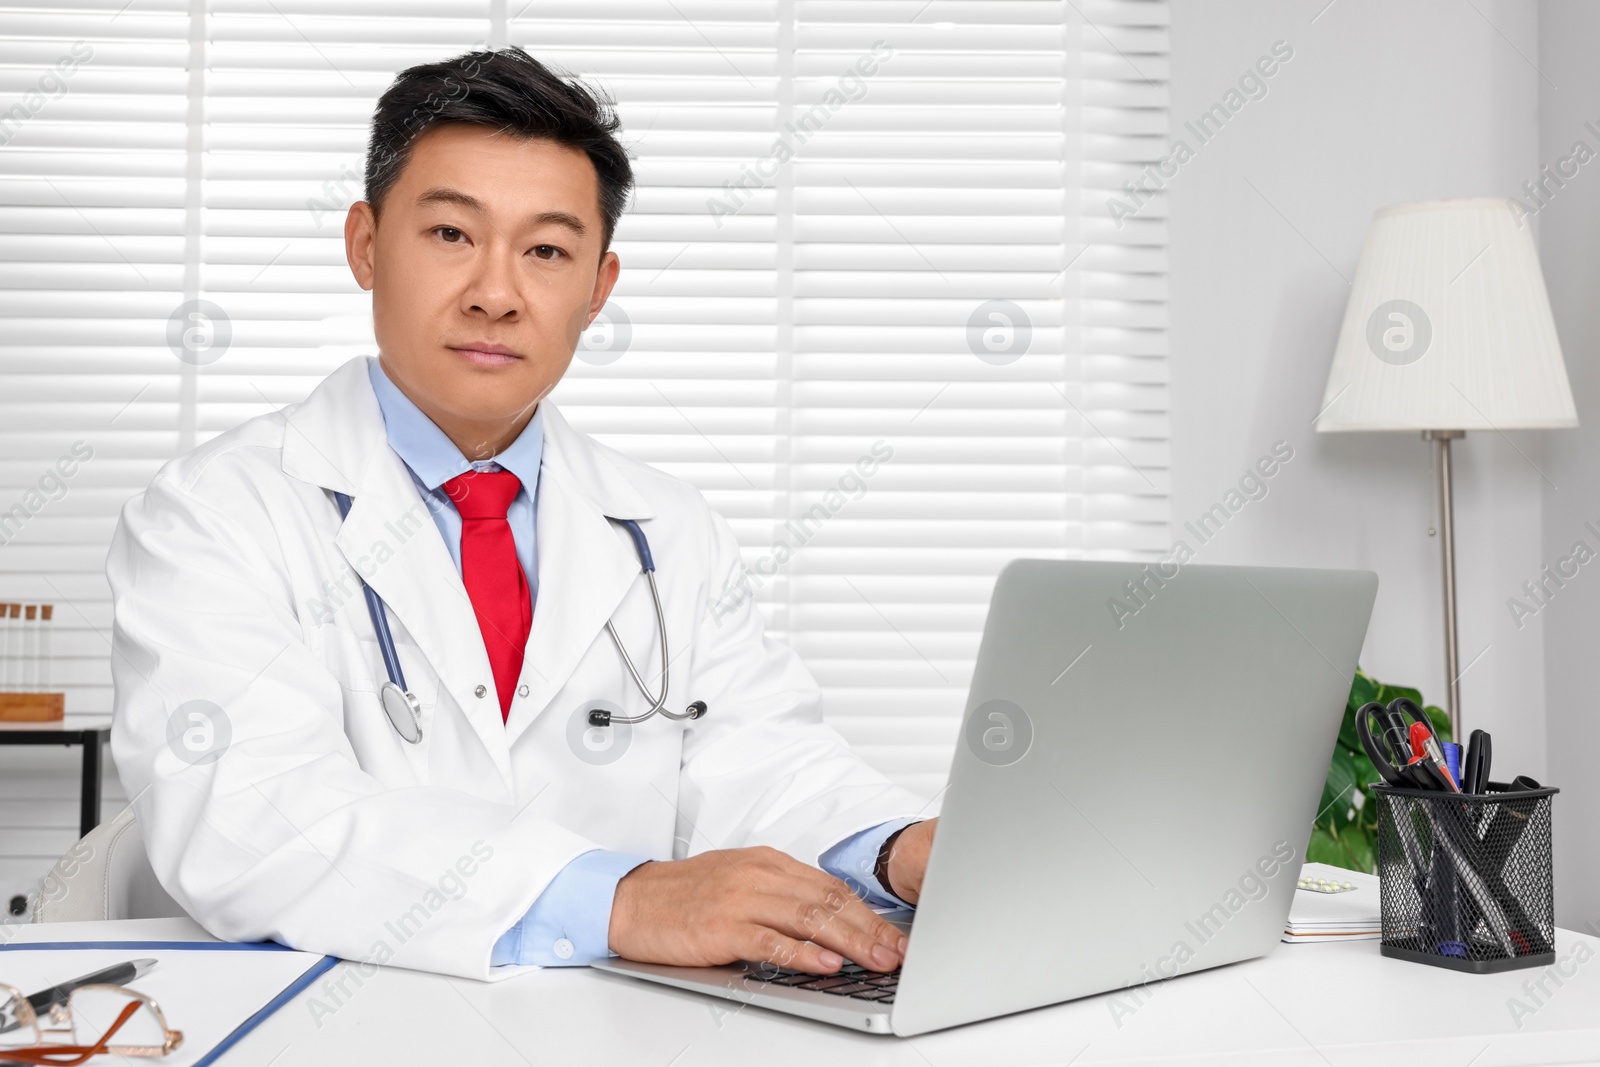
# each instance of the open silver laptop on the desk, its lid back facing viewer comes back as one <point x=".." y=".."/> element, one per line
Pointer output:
<point x="1135" y="781"/>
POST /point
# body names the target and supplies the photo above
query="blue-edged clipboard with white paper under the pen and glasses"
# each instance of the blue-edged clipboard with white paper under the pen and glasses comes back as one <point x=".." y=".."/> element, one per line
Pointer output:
<point x="268" y="993"/>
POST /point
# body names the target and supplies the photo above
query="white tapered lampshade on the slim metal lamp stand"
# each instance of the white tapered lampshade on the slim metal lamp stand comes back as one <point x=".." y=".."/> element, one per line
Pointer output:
<point x="1449" y="327"/>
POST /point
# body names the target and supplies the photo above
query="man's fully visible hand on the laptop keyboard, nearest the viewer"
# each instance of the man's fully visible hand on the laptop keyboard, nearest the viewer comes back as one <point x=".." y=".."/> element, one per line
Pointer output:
<point x="748" y="905"/>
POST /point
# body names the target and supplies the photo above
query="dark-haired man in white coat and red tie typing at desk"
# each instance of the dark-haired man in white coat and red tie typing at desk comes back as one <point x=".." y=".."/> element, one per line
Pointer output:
<point x="281" y="802"/>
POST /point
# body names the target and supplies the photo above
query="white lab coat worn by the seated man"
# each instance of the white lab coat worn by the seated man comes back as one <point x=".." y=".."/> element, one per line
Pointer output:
<point x="318" y="826"/>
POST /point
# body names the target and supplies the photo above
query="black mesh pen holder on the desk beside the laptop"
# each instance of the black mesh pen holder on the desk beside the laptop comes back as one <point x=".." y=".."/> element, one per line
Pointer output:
<point x="1468" y="881"/>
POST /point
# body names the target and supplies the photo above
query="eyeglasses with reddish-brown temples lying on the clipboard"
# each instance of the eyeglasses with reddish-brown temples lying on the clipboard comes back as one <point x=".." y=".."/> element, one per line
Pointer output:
<point x="97" y="1020"/>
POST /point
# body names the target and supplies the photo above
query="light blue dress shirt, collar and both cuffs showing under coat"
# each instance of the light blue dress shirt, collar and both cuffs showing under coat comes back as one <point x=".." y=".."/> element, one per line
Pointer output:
<point x="570" y="922"/>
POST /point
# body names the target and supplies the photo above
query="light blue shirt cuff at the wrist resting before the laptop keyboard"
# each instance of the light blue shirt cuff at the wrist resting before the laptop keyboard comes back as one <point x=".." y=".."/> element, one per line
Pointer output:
<point x="572" y="921"/>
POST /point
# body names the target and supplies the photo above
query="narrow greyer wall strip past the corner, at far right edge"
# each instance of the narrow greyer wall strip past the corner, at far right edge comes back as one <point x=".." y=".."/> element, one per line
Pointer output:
<point x="1570" y="246"/>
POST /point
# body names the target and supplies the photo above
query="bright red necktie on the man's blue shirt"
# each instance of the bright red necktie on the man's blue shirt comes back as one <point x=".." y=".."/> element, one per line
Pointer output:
<point x="492" y="573"/>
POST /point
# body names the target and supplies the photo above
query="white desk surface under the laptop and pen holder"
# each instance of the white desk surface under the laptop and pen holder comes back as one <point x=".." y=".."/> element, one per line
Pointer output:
<point x="1300" y="1005"/>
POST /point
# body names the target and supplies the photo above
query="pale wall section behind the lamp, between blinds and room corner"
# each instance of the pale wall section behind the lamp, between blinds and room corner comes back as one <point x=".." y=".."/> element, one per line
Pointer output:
<point x="1382" y="103"/>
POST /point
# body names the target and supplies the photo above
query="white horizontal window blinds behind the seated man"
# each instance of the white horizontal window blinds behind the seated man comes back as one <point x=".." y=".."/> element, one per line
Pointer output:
<point x="873" y="302"/>
